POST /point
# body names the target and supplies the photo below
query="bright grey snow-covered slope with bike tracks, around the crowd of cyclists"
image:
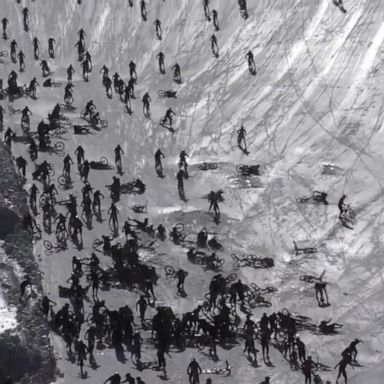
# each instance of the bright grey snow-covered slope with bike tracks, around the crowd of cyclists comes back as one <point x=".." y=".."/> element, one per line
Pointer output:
<point x="317" y="97"/>
